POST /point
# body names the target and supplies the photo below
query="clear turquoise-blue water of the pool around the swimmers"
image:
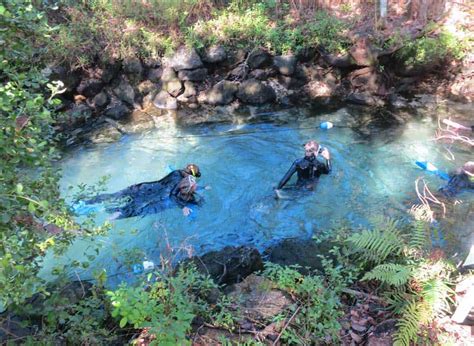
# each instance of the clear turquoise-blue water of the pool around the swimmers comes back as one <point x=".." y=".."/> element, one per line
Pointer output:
<point x="241" y="160"/>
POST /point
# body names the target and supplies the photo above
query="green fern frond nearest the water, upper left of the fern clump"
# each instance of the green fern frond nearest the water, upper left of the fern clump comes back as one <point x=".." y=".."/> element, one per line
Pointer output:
<point x="376" y="245"/>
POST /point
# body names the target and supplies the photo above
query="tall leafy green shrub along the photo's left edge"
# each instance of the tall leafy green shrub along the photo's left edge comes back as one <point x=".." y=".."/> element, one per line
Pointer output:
<point x="29" y="194"/>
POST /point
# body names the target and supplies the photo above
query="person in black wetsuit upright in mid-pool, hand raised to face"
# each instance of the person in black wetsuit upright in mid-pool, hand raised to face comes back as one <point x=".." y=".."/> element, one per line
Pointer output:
<point x="309" y="168"/>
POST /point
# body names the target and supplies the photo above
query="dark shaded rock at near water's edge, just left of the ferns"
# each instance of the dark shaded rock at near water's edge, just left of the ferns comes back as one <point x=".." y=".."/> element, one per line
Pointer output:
<point x="294" y="251"/>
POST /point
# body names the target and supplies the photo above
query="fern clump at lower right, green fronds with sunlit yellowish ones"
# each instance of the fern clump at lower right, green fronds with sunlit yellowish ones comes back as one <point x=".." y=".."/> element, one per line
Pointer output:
<point x="416" y="286"/>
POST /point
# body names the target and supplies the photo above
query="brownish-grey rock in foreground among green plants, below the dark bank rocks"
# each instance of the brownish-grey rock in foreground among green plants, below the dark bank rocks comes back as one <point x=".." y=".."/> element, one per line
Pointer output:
<point x="259" y="302"/>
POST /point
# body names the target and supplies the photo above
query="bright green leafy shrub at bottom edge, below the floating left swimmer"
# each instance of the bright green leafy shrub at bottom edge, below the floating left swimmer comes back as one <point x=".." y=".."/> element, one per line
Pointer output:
<point x="167" y="308"/>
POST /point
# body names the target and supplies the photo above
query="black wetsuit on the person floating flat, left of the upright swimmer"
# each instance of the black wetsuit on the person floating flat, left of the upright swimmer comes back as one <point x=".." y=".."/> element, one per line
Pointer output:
<point x="147" y="198"/>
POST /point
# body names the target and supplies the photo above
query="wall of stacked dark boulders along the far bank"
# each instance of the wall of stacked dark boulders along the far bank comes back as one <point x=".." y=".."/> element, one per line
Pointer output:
<point x="189" y="80"/>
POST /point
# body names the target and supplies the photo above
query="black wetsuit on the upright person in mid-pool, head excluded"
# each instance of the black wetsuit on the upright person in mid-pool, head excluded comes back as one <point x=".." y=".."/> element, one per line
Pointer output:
<point x="309" y="169"/>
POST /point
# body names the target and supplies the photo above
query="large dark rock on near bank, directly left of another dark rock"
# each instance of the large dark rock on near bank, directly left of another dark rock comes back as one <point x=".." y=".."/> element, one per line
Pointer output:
<point x="229" y="265"/>
